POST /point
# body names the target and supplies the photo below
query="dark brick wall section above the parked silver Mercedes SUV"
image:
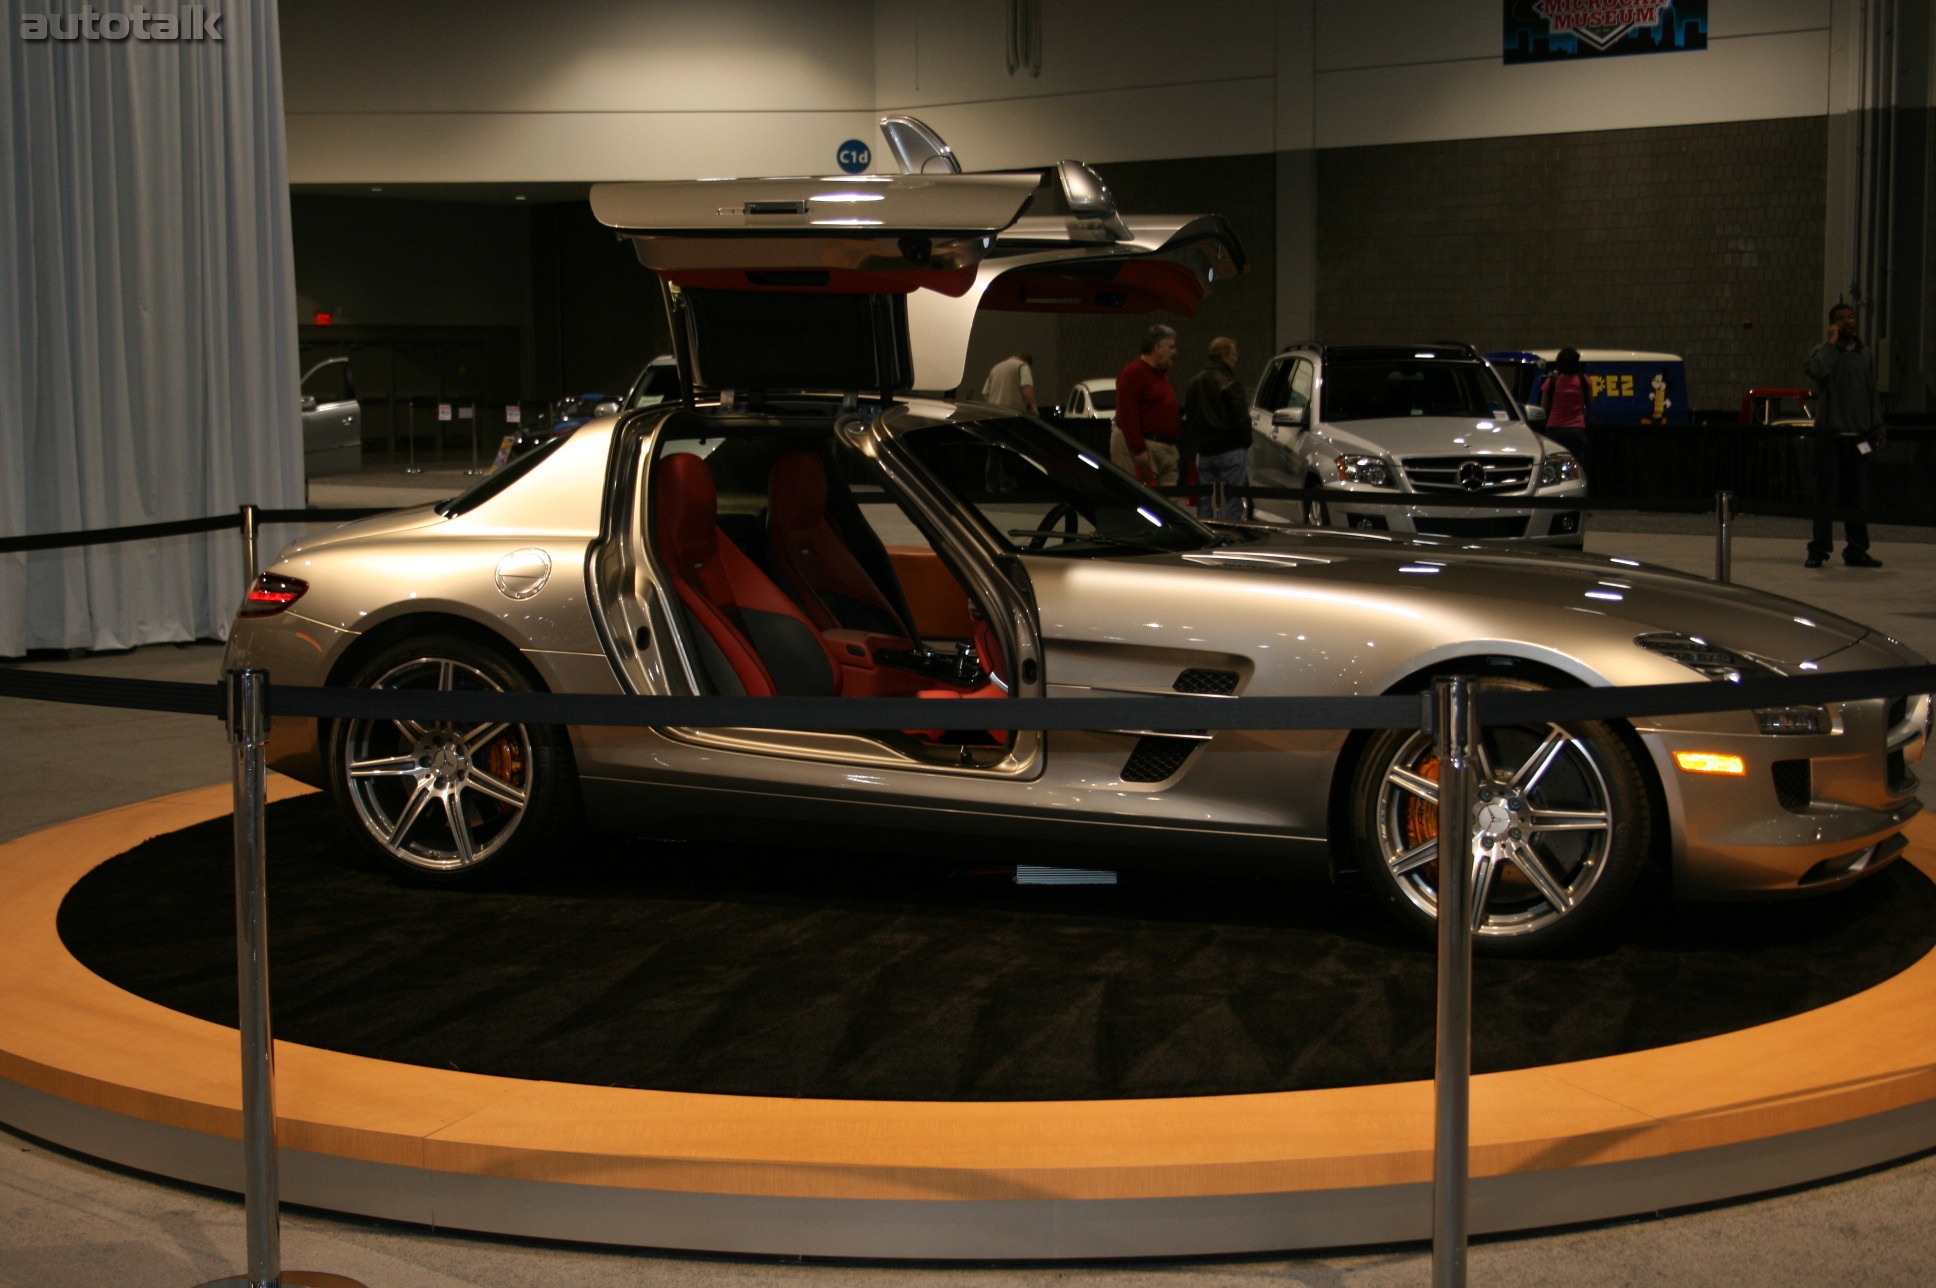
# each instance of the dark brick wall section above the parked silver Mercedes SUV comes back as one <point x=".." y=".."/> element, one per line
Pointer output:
<point x="1703" y="241"/>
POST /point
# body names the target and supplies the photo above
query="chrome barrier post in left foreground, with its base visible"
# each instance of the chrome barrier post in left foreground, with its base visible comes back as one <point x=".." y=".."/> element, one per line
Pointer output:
<point x="249" y="737"/>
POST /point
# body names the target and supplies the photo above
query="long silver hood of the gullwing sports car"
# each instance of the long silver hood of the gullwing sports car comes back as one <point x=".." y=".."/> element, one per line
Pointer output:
<point x="1567" y="599"/>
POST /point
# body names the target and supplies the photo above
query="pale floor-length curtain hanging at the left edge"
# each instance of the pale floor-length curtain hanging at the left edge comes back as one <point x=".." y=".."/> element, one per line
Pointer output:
<point x="148" y="319"/>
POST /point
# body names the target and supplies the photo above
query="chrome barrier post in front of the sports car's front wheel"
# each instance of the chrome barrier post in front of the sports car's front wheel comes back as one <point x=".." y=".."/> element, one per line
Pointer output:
<point x="1457" y="733"/>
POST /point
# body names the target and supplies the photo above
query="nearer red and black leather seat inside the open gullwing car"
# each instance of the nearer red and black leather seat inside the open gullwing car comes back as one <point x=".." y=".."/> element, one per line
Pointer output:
<point x="752" y="638"/>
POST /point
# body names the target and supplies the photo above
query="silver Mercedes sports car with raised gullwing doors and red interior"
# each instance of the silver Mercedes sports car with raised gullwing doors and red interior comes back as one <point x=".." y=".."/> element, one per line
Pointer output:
<point x="806" y="520"/>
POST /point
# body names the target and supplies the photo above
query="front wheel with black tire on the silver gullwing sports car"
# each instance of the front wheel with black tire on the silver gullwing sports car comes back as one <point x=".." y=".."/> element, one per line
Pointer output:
<point x="1571" y="816"/>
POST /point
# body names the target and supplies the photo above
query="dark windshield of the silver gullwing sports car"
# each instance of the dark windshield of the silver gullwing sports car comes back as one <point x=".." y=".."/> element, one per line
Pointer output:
<point x="1044" y="493"/>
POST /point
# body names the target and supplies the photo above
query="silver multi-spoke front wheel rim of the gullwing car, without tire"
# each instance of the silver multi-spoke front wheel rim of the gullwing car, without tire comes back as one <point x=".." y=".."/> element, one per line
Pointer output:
<point x="1546" y="834"/>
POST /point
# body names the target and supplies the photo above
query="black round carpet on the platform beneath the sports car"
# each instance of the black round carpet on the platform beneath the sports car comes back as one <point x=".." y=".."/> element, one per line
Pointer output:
<point x="797" y="973"/>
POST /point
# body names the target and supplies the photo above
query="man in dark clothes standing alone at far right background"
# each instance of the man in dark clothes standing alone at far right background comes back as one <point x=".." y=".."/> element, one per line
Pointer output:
<point x="1848" y="431"/>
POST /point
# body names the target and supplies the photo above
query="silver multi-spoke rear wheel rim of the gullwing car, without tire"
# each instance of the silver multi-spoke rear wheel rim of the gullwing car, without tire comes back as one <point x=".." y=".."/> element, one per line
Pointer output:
<point x="439" y="797"/>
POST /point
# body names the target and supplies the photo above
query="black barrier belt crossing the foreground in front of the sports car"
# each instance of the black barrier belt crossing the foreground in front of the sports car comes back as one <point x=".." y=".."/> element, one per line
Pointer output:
<point x="1132" y="714"/>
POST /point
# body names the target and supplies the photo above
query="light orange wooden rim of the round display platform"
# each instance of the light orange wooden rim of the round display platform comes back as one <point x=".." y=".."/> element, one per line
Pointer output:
<point x="67" y="1033"/>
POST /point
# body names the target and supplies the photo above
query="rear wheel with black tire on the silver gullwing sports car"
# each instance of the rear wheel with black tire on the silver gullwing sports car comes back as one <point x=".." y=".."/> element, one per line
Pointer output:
<point x="442" y="803"/>
